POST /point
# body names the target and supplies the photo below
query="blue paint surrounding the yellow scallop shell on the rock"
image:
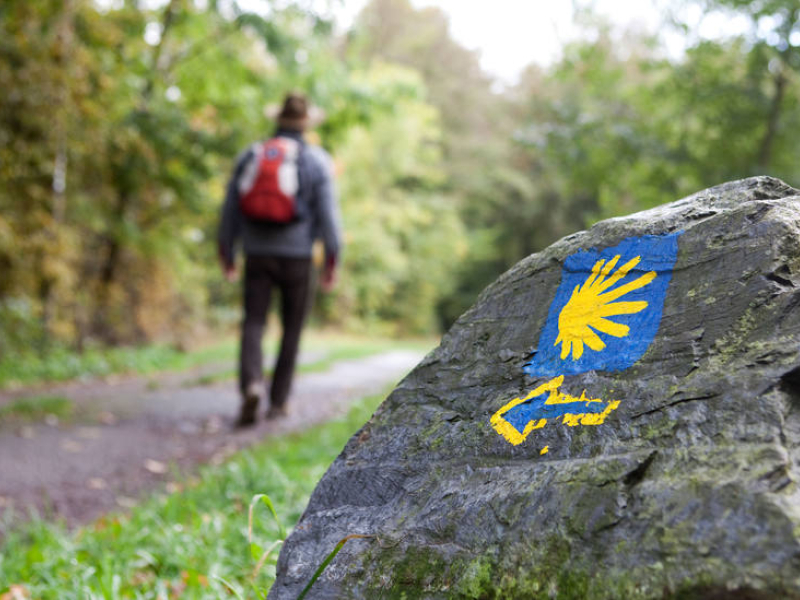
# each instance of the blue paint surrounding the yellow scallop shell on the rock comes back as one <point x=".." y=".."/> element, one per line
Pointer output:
<point x="658" y="253"/>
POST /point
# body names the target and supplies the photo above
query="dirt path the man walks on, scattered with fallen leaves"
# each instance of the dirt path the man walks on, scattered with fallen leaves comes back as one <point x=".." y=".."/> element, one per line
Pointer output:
<point x="133" y="435"/>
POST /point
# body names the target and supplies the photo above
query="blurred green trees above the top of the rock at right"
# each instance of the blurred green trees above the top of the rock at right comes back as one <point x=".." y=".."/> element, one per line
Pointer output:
<point x="615" y="126"/>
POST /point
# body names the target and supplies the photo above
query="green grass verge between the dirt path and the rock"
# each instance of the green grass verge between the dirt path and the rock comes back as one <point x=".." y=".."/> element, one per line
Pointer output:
<point x="191" y="544"/>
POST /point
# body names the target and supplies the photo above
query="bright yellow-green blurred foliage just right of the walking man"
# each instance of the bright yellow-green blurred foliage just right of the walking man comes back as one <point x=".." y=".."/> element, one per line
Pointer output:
<point x="402" y="229"/>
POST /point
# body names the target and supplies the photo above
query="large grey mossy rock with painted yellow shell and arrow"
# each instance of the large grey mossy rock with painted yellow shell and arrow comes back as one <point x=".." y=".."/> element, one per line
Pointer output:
<point x="687" y="487"/>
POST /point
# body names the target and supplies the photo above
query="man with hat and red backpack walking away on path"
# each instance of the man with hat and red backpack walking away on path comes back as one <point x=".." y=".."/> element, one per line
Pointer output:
<point x="278" y="201"/>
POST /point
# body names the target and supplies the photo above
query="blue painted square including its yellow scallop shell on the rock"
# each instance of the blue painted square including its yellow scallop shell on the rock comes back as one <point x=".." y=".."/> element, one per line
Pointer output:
<point x="607" y="308"/>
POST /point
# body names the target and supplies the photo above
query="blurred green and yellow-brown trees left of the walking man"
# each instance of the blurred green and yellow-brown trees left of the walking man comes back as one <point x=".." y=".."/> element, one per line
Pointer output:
<point x="118" y="126"/>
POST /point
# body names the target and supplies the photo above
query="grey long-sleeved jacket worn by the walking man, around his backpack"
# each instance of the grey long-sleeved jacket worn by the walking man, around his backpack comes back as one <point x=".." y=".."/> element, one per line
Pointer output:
<point x="292" y="240"/>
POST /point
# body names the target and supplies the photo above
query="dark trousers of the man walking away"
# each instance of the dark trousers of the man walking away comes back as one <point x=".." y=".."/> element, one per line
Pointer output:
<point x="292" y="277"/>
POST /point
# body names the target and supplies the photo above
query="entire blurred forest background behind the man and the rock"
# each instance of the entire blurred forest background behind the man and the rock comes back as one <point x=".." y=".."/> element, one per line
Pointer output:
<point x="120" y="122"/>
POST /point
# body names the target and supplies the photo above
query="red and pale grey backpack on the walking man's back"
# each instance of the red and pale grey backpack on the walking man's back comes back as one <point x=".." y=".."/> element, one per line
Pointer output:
<point x="269" y="181"/>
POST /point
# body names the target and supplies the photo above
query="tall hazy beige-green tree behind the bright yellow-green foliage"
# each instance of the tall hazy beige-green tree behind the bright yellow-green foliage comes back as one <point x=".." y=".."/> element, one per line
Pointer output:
<point x="479" y="180"/>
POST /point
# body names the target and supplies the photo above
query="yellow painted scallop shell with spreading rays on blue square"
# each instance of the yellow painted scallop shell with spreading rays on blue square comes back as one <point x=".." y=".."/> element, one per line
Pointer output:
<point x="590" y="304"/>
